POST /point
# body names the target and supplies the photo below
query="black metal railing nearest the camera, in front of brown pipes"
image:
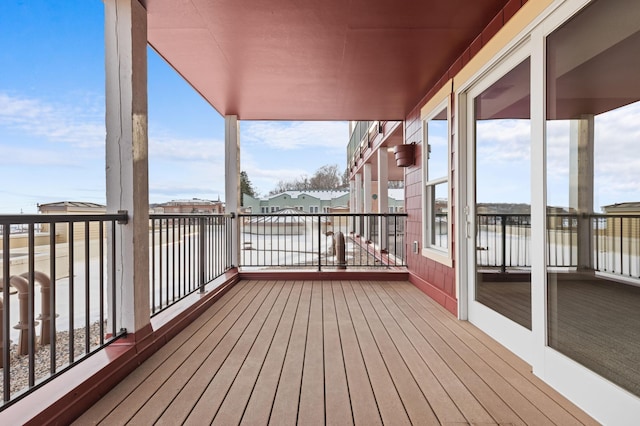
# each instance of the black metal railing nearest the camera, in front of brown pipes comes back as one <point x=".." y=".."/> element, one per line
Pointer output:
<point x="46" y="331"/>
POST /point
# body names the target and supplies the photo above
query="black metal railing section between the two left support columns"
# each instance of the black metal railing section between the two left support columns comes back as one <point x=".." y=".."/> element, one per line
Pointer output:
<point x="187" y="252"/>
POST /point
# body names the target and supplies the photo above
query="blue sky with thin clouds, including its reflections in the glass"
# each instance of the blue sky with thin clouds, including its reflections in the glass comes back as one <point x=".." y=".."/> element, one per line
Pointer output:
<point x="52" y="133"/>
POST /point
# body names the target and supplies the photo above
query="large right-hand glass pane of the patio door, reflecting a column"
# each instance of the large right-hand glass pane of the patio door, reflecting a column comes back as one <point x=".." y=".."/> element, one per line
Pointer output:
<point x="593" y="191"/>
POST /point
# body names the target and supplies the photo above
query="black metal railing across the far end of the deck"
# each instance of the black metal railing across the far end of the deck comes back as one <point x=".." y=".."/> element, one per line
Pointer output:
<point x="308" y="240"/>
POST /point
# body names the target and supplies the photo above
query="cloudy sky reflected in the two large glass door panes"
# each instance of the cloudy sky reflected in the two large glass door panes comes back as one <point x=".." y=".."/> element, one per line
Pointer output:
<point x="504" y="159"/>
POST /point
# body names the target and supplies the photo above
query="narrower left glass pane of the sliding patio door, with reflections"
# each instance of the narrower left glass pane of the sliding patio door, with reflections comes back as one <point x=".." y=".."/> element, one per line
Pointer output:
<point x="503" y="195"/>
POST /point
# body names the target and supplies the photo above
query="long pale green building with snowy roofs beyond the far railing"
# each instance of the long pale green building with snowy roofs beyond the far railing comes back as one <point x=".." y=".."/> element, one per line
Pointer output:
<point x="313" y="201"/>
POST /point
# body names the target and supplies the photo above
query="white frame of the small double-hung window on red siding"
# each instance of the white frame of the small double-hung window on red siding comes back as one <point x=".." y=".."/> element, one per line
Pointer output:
<point x="436" y="253"/>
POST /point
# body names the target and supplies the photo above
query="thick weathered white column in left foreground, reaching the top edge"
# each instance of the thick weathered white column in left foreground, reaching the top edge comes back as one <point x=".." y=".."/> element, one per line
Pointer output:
<point x="127" y="177"/>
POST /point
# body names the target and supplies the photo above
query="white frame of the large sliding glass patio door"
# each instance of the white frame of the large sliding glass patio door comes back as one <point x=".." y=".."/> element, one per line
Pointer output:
<point x="602" y="399"/>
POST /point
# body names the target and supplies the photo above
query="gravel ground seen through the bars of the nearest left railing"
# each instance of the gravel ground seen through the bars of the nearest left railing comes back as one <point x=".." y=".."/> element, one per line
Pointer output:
<point x="19" y="367"/>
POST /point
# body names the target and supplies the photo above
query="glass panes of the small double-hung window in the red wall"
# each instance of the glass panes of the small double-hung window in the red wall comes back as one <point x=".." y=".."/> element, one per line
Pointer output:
<point x="436" y="177"/>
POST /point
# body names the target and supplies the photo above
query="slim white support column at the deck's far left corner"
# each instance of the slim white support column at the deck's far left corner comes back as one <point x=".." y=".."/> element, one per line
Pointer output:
<point x="232" y="178"/>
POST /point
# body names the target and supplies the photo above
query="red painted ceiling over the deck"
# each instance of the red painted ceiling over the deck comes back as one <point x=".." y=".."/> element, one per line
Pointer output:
<point x="315" y="60"/>
